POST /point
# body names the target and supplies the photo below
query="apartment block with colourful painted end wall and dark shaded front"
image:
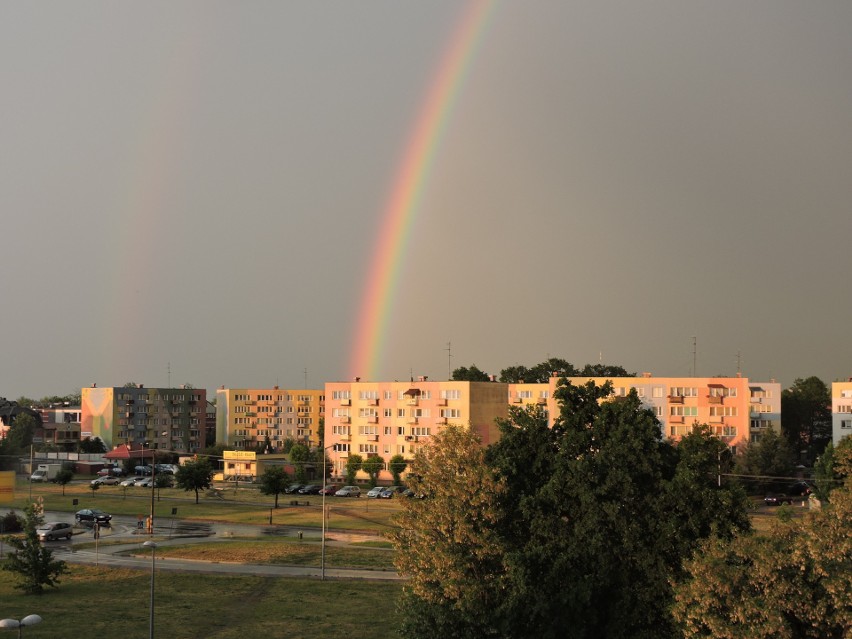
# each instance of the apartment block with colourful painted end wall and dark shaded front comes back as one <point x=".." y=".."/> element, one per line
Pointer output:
<point x="170" y="419"/>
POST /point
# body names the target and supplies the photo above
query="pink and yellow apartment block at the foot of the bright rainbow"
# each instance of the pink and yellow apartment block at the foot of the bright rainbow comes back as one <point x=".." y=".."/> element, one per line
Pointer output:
<point x="395" y="418"/>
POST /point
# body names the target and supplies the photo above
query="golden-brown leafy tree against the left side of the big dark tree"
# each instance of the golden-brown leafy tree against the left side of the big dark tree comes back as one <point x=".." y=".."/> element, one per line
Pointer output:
<point x="446" y="545"/>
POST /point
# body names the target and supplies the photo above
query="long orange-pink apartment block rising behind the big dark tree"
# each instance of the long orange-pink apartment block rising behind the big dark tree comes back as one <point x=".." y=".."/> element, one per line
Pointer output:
<point x="737" y="410"/>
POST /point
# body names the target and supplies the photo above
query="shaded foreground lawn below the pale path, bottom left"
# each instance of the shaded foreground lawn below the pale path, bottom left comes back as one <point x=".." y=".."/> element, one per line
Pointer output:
<point x="94" y="601"/>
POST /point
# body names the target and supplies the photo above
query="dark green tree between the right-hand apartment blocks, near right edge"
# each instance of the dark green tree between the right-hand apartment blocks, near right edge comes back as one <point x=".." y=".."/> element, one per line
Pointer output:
<point x="806" y="416"/>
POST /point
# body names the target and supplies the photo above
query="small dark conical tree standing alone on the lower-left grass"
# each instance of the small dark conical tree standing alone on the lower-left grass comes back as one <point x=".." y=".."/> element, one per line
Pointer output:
<point x="32" y="561"/>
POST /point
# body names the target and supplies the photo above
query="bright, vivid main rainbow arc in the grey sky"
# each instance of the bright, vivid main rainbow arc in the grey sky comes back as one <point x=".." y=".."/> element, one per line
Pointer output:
<point x="411" y="181"/>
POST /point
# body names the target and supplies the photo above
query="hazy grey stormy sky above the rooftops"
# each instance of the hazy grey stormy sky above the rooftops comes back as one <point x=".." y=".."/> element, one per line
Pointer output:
<point x="195" y="192"/>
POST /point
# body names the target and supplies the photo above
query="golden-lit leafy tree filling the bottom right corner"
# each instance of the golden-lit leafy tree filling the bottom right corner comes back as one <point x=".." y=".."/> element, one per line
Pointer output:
<point x="795" y="581"/>
